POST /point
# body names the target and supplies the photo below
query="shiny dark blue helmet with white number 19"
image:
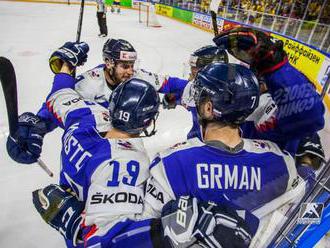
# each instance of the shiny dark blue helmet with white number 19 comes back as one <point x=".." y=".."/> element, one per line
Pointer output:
<point x="134" y="106"/>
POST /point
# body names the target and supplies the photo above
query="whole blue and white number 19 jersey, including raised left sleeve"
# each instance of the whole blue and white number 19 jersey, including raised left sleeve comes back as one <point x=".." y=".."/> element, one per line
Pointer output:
<point x="109" y="175"/>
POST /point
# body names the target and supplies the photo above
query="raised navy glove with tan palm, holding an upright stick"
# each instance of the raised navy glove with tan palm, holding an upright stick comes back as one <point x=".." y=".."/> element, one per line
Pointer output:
<point x="73" y="53"/>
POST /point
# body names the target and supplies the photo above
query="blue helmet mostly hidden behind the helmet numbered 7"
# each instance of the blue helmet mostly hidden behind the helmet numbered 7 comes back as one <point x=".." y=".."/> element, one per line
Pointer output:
<point x="206" y="55"/>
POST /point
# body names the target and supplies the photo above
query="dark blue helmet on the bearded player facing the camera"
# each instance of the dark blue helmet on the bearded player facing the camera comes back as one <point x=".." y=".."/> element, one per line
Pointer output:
<point x="119" y="50"/>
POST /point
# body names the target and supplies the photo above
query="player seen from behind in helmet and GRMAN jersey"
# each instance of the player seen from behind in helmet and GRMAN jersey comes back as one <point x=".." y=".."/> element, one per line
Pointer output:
<point x="253" y="174"/>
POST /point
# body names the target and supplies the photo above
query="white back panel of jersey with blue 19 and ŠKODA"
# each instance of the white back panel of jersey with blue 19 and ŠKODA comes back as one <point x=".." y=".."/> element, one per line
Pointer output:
<point x="116" y="189"/>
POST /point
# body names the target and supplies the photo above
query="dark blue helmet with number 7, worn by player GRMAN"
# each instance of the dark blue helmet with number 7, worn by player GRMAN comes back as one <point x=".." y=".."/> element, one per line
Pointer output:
<point x="233" y="90"/>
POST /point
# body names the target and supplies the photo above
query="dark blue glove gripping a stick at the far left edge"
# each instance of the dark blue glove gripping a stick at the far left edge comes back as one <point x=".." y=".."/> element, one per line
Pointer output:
<point x="26" y="145"/>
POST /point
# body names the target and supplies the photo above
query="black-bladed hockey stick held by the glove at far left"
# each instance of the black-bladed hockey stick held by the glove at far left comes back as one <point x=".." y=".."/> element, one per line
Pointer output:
<point x="9" y="86"/>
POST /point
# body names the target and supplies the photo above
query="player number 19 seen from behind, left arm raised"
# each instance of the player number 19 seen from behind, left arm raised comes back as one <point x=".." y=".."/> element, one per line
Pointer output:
<point x="107" y="168"/>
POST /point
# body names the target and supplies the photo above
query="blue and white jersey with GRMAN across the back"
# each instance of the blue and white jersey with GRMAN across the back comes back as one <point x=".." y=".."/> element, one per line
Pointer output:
<point x="251" y="177"/>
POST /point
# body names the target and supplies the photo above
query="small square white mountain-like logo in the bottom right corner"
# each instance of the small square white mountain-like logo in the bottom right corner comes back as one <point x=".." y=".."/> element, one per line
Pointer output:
<point x="310" y="213"/>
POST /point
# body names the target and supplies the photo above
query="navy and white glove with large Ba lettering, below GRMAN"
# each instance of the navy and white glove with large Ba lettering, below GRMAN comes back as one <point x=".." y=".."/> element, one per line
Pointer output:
<point x="186" y="222"/>
